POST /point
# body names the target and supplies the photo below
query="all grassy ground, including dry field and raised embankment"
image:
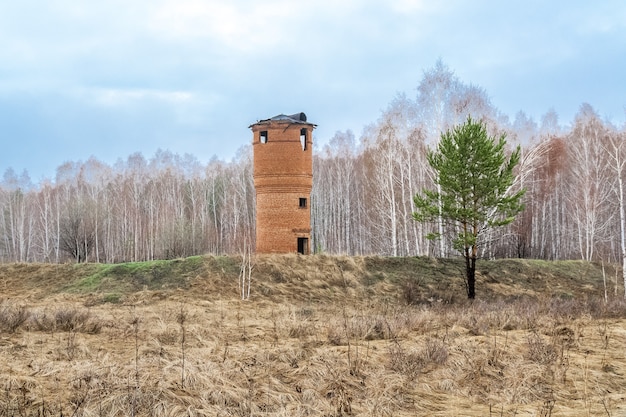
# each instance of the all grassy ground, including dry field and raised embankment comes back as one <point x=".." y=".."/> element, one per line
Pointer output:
<point x="319" y="336"/>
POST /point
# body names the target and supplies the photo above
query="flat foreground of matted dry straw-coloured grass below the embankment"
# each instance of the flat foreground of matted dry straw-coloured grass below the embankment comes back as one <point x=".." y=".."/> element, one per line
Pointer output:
<point x="232" y="357"/>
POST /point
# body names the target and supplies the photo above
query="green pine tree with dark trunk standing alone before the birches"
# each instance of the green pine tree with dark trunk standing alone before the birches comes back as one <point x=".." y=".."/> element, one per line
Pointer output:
<point x="474" y="178"/>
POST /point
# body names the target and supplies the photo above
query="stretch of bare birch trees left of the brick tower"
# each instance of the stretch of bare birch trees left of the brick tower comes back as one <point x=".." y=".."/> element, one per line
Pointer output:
<point x="162" y="208"/>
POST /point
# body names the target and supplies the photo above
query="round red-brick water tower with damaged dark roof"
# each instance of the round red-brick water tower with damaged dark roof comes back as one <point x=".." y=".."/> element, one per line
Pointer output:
<point x="283" y="178"/>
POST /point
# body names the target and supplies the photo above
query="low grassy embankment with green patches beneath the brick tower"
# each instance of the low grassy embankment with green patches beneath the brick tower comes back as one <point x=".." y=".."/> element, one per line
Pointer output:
<point x="320" y="277"/>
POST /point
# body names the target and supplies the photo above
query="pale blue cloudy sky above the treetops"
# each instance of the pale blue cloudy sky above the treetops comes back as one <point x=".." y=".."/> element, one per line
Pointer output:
<point x="109" y="78"/>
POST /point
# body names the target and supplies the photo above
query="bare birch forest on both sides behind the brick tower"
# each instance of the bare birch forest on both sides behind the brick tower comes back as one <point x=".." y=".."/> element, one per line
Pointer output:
<point x="168" y="206"/>
